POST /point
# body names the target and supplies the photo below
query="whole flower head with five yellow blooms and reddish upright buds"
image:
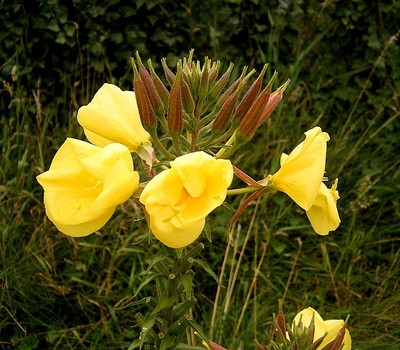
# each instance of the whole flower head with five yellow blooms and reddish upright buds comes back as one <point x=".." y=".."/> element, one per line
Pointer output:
<point x="205" y="120"/>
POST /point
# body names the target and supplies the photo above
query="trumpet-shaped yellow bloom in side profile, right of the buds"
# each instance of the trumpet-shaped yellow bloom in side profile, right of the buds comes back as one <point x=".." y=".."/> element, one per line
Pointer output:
<point x="301" y="172"/>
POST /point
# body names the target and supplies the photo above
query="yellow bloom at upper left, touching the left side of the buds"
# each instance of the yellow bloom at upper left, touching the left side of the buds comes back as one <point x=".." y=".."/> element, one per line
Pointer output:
<point x="113" y="116"/>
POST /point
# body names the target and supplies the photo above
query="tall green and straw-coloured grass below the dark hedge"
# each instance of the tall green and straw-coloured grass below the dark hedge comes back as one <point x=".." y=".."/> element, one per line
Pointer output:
<point x="58" y="292"/>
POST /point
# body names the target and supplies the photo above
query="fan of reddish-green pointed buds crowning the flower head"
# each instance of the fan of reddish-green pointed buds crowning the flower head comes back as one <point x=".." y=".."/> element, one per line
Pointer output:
<point x="200" y="108"/>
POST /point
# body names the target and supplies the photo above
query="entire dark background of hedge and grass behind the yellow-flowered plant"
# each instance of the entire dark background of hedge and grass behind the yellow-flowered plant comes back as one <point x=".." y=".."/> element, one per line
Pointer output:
<point x="342" y="58"/>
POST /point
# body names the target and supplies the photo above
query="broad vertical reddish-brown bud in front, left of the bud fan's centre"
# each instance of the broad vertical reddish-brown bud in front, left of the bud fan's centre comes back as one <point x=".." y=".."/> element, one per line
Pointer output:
<point x="175" y="118"/>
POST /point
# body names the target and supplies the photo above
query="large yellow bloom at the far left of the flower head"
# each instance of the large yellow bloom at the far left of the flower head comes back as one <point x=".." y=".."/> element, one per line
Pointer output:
<point x="84" y="185"/>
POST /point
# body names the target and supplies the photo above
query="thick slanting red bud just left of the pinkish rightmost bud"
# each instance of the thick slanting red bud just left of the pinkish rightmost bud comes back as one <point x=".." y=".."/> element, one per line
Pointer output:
<point x="249" y="125"/>
